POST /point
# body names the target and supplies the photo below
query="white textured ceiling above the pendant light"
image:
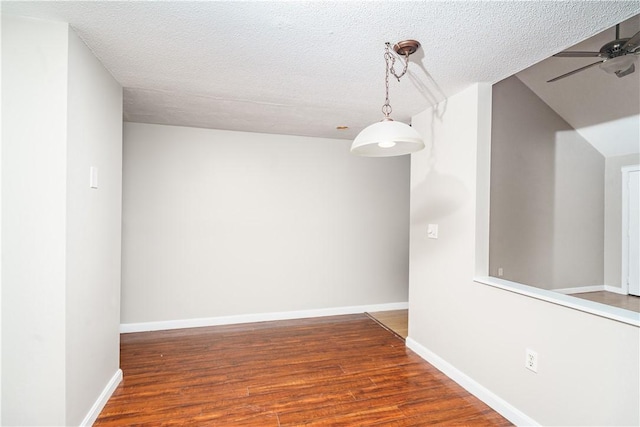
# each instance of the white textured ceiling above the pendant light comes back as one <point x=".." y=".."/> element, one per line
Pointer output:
<point x="305" y="67"/>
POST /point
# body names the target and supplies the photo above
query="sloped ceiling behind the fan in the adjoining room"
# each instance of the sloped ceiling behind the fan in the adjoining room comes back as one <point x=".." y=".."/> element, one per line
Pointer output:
<point x="605" y="109"/>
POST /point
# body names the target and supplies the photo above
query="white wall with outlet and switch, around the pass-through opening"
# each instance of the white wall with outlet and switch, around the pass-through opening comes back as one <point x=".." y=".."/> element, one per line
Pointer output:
<point x="588" y="371"/>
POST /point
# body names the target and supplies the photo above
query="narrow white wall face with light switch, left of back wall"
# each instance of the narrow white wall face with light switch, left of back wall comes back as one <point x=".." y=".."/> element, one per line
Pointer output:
<point x="94" y="138"/>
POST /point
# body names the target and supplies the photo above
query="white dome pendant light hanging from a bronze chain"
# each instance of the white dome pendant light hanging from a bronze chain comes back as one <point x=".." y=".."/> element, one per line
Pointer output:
<point x="388" y="137"/>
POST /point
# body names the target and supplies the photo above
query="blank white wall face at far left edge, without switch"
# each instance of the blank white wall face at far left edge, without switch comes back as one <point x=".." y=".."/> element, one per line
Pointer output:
<point x="34" y="118"/>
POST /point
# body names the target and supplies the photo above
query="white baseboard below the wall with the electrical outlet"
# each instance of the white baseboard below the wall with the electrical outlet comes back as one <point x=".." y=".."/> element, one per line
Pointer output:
<point x="498" y="404"/>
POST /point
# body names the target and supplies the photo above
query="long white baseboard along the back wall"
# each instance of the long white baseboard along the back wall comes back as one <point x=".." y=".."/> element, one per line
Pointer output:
<point x="260" y="317"/>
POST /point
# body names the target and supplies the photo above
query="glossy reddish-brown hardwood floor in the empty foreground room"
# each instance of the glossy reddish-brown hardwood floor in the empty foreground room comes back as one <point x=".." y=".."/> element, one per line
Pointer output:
<point x="330" y="371"/>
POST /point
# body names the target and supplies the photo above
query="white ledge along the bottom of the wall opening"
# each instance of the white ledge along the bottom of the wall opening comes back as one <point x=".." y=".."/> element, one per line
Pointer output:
<point x="602" y="310"/>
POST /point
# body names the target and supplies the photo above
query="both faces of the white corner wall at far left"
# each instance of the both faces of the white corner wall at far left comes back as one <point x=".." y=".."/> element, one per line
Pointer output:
<point x="61" y="113"/>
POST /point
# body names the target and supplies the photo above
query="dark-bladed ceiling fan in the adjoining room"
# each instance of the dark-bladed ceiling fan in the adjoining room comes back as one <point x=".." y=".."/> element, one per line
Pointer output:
<point x="617" y="56"/>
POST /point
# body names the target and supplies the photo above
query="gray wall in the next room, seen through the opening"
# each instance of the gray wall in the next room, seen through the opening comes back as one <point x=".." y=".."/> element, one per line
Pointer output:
<point x="547" y="195"/>
